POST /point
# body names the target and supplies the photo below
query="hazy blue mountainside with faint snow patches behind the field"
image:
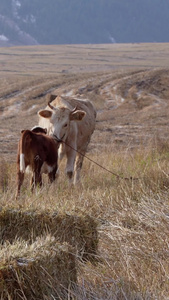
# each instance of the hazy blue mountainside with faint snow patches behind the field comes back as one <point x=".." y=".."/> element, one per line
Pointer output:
<point x="83" y="22"/>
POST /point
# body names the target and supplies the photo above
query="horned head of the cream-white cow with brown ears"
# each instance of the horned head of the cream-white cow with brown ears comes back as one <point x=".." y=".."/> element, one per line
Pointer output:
<point x="60" y="119"/>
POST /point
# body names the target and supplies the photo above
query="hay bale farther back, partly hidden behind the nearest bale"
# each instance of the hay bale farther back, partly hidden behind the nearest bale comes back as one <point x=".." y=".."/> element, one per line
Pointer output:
<point x="78" y="231"/>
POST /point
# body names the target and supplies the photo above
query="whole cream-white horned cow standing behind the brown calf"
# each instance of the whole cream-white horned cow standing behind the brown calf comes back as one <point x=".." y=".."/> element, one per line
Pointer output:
<point x="72" y="121"/>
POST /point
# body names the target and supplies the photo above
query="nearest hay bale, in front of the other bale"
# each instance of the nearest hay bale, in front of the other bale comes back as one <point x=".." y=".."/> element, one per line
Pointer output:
<point x="44" y="270"/>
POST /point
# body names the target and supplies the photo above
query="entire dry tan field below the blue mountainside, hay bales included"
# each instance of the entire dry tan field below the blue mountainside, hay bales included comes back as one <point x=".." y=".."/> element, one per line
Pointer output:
<point x="107" y="239"/>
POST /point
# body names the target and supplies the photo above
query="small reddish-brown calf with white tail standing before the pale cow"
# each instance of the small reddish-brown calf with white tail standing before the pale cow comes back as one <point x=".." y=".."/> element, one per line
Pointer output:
<point x="39" y="153"/>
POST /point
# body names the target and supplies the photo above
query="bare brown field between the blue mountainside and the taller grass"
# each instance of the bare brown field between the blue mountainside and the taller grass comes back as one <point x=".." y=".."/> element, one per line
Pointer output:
<point x="128" y="84"/>
